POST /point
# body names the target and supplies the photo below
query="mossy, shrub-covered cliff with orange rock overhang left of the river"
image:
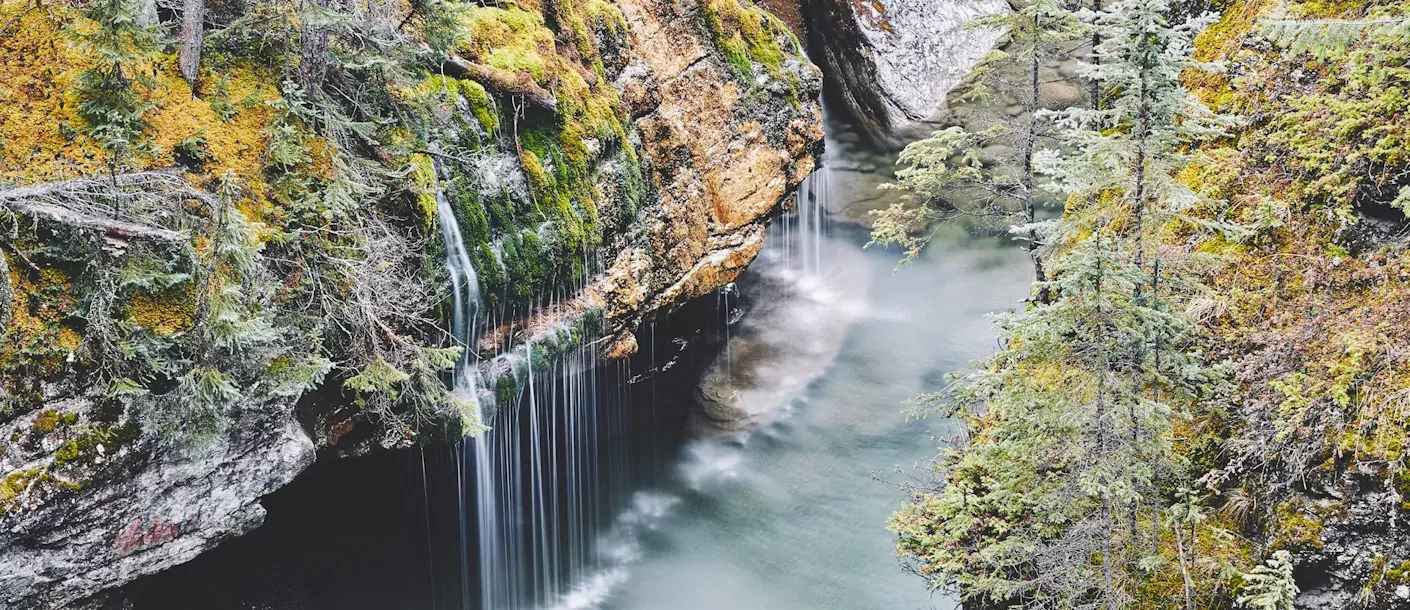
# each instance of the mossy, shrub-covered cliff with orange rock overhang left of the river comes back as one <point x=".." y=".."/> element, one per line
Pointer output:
<point x="256" y="275"/>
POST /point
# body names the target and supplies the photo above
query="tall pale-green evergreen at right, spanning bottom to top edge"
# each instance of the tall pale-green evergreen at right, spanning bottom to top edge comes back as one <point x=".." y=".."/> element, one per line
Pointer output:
<point x="1040" y="509"/>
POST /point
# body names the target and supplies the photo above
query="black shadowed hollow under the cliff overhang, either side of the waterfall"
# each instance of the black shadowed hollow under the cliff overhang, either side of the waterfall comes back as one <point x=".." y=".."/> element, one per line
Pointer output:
<point x="383" y="532"/>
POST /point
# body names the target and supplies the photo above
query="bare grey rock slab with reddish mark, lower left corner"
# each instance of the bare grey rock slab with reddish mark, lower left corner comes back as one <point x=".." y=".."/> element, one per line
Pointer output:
<point x="143" y="511"/>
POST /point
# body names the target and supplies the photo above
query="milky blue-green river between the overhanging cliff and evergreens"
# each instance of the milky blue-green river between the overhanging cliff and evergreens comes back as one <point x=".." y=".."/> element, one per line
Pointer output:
<point x="792" y="515"/>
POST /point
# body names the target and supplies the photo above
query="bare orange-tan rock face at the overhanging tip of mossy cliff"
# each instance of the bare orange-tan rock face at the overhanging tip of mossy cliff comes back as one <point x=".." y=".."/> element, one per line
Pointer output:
<point x="724" y="158"/>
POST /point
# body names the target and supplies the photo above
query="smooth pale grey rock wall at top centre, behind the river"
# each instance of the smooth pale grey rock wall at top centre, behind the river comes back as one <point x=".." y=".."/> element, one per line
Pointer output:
<point x="895" y="61"/>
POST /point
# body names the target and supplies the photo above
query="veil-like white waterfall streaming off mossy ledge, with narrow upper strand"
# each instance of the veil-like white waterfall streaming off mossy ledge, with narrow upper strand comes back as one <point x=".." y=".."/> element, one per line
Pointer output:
<point x="544" y="492"/>
